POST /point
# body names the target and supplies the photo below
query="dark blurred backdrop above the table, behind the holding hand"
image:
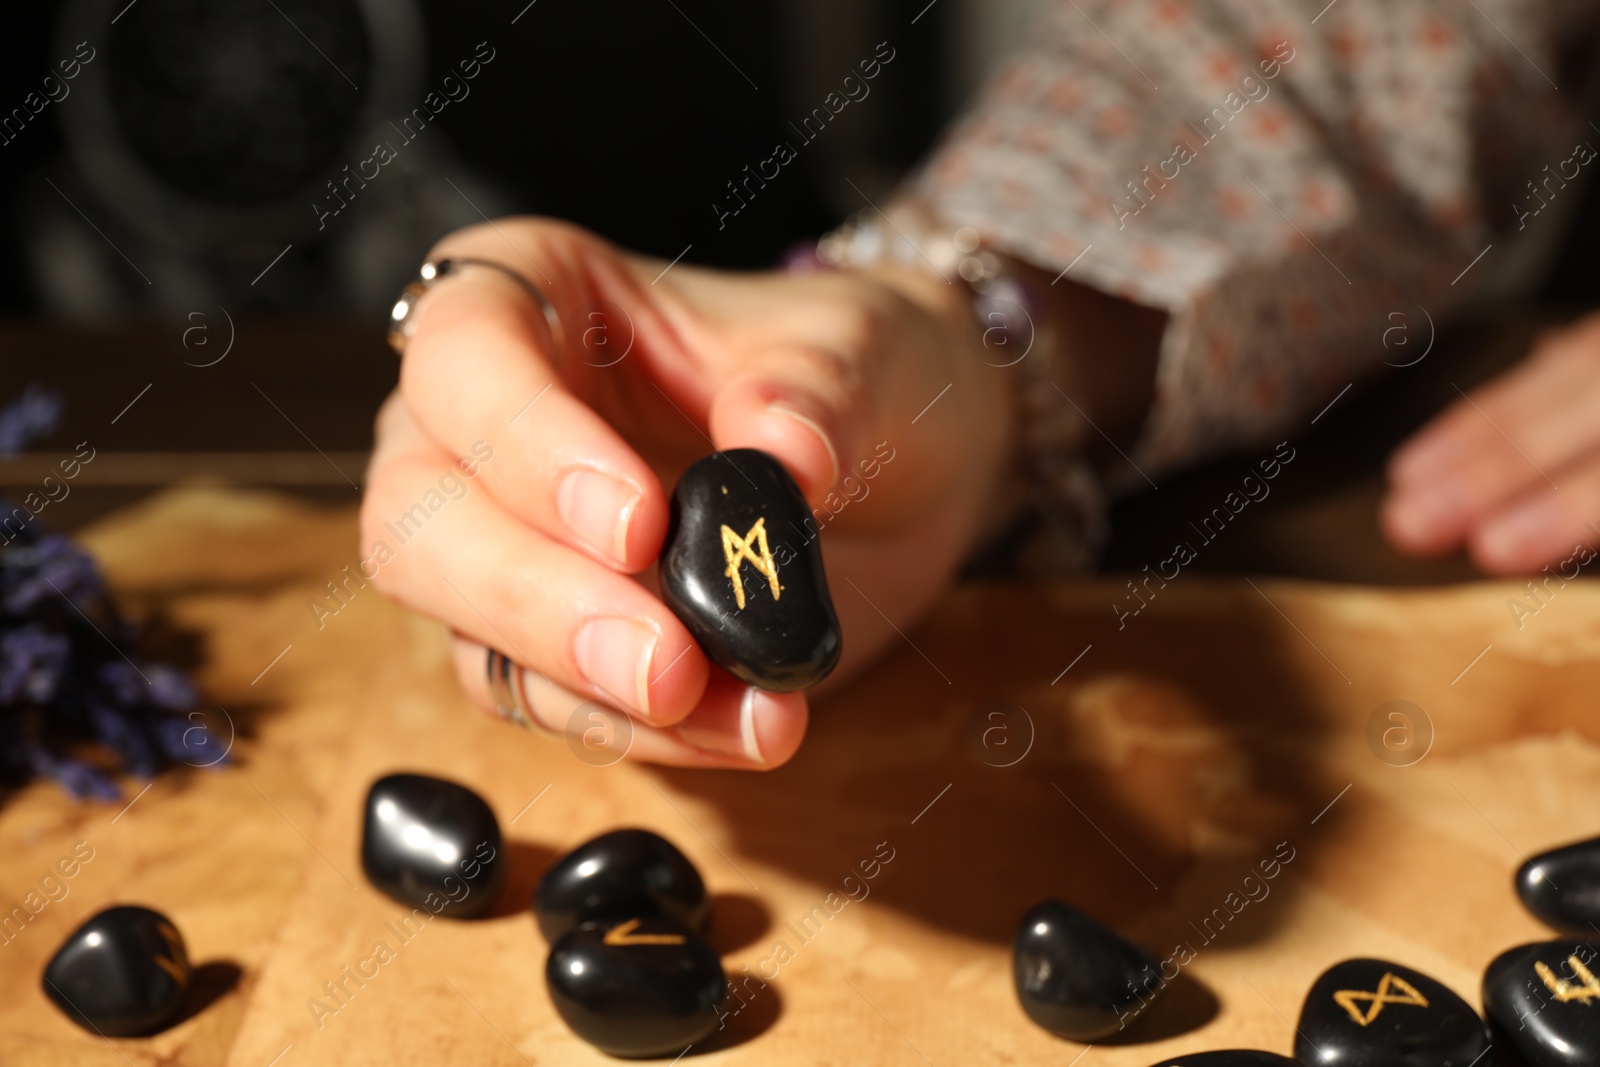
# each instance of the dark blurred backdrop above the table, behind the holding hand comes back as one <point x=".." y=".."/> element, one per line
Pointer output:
<point x="194" y="145"/>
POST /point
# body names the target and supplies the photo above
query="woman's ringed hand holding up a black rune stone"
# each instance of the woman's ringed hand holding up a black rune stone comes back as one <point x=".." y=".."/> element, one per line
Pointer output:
<point x="538" y="557"/>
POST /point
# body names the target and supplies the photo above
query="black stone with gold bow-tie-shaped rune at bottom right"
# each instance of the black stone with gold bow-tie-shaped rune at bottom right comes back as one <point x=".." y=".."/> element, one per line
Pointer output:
<point x="1374" y="1013"/>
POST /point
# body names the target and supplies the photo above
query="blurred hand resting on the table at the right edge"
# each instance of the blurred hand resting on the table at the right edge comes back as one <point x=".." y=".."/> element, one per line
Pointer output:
<point x="1514" y="471"/>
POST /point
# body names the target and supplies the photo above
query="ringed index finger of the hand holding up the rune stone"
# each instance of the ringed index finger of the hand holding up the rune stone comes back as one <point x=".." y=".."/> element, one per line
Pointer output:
<point x="481" y="375"/>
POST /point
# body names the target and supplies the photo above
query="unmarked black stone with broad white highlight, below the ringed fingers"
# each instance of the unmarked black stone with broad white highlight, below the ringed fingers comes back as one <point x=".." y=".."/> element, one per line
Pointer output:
<point x="434" y="845"/>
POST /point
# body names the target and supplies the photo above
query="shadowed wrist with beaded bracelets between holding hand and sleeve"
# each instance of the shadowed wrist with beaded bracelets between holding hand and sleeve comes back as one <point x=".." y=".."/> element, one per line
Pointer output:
<point x="1018" y="350"/>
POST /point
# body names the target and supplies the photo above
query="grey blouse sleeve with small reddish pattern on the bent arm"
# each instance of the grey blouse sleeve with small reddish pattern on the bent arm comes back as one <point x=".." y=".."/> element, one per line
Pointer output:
<point x="1276" y="177"/>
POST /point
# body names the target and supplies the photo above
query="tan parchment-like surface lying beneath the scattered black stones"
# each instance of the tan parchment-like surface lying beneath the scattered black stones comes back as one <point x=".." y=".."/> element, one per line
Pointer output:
<point x="1225" y="727"/>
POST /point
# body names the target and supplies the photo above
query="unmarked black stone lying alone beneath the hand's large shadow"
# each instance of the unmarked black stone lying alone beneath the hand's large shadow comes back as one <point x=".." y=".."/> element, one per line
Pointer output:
<point x="1076" y="977"/>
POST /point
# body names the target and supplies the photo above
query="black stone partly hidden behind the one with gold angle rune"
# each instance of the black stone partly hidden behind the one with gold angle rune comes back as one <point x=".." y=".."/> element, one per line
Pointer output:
<point x="623" y="874"/>
